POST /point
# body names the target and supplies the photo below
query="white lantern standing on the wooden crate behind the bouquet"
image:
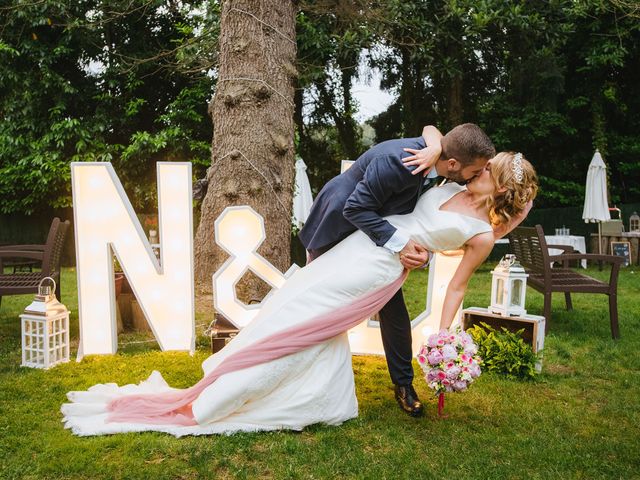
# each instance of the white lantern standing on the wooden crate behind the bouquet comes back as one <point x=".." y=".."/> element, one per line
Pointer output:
<point x="508" y="288"/>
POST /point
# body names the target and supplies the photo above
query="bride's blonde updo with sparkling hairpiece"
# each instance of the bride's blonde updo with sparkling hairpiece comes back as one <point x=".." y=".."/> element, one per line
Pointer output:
<point x="516" y="184"/>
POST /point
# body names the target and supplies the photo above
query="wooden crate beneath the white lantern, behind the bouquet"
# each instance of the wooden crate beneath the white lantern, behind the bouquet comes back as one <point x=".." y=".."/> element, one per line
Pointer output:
<point x="533" y="326"/>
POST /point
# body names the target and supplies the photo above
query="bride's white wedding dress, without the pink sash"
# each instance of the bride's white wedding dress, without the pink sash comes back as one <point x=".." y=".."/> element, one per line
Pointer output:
<point x="314" y="385"/>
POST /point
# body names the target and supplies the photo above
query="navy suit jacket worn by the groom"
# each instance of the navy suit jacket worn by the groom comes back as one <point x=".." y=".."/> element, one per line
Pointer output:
<point x="376" y="185"/>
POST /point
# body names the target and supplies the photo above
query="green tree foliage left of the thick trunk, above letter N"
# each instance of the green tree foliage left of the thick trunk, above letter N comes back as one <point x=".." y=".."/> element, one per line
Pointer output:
<point x="99" y="81"/>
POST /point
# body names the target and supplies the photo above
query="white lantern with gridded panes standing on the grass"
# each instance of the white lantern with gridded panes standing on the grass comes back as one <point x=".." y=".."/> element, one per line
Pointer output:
<point x="45" y="330"/>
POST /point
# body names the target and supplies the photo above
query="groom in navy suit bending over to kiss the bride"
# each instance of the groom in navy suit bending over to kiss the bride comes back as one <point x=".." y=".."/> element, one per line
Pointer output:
<point x="380" y="184"/>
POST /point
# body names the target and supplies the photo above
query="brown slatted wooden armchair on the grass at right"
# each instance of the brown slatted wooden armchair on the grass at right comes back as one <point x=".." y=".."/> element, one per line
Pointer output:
<point x="532" y="251"/>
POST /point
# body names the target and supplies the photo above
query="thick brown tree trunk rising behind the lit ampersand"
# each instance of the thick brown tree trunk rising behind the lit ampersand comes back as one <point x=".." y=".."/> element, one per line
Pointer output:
<point x="253" y="151"/>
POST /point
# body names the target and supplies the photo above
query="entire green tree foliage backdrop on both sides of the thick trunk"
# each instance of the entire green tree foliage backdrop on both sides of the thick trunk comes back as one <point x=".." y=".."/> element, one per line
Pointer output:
<point x="129" y="82"/>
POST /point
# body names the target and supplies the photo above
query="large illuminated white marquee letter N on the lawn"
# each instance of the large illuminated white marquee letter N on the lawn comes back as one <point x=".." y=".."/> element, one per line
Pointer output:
<point x="105" y="223"/>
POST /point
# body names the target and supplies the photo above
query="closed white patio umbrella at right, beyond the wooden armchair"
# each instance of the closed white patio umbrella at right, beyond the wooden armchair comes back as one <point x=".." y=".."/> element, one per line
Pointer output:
<point x="596" y="205"/>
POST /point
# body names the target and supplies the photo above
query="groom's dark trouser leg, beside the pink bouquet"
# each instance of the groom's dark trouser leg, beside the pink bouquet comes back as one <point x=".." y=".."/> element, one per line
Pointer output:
<point x="395" y="327"/>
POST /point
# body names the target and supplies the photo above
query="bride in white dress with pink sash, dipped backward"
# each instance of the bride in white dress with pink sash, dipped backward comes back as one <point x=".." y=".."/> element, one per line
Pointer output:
<point x="291" y="367"/>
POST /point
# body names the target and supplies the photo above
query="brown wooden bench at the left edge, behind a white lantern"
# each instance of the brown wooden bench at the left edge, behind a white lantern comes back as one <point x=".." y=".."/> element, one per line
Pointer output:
<point x="18" y="283"/>
